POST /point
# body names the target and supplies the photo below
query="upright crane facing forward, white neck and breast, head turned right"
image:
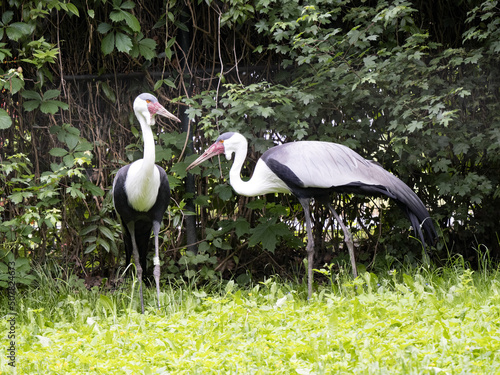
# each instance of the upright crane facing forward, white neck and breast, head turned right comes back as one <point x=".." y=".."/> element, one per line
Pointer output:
<point x="141" y="194"/>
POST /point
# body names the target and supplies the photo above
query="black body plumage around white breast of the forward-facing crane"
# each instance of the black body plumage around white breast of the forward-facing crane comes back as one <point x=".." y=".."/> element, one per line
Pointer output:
<point x="143" y="222"/>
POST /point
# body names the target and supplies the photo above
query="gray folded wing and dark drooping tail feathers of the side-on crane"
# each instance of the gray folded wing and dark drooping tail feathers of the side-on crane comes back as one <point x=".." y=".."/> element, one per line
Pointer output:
<point x="314" y="166"/>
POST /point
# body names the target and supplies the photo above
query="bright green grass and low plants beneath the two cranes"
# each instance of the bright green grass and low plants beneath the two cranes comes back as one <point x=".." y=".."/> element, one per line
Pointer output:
<point x="445" y="321"/>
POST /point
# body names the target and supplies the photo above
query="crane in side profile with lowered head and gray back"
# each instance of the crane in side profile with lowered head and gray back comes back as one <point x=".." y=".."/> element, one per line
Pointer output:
<point x="314" y="169"/>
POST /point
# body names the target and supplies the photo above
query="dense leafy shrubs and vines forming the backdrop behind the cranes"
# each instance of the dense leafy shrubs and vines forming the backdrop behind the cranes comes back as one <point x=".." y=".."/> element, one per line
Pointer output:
<point x="411" y="84"/>
